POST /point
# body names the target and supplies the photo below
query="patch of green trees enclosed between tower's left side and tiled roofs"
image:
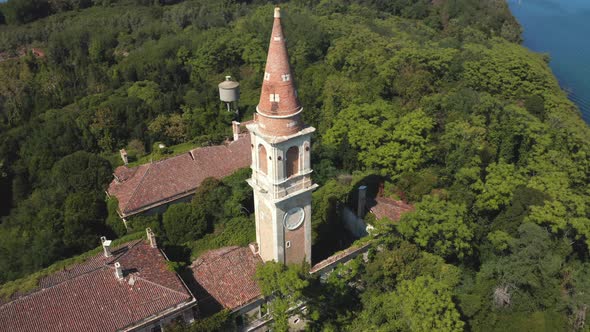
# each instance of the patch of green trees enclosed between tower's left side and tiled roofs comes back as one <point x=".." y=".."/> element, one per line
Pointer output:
<point x="220" y="214"/>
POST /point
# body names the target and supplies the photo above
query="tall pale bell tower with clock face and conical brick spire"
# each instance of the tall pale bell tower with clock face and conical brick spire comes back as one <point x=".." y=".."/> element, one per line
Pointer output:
<point x="281" y="168"/>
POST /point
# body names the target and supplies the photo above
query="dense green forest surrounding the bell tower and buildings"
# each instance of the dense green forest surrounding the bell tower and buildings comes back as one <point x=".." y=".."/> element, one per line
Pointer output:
<point x="436" y="99"/>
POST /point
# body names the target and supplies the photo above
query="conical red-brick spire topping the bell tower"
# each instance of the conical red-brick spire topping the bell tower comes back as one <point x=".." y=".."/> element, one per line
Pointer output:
<point x="279" y="107"/>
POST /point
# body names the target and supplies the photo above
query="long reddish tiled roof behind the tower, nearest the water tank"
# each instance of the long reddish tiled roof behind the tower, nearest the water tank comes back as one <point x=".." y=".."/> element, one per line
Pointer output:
<point x="149" y="185"/>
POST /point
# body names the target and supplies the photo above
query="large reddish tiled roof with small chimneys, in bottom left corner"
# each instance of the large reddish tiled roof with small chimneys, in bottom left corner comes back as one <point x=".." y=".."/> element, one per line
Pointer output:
<point x="89" y="297"/>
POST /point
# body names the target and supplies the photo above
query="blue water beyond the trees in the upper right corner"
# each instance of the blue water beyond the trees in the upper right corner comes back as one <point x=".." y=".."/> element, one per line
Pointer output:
<point x="562" y="29"/>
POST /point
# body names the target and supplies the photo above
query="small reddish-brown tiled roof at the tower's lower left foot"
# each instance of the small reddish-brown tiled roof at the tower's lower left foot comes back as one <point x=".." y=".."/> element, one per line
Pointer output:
<point x="227" y="274"/>
